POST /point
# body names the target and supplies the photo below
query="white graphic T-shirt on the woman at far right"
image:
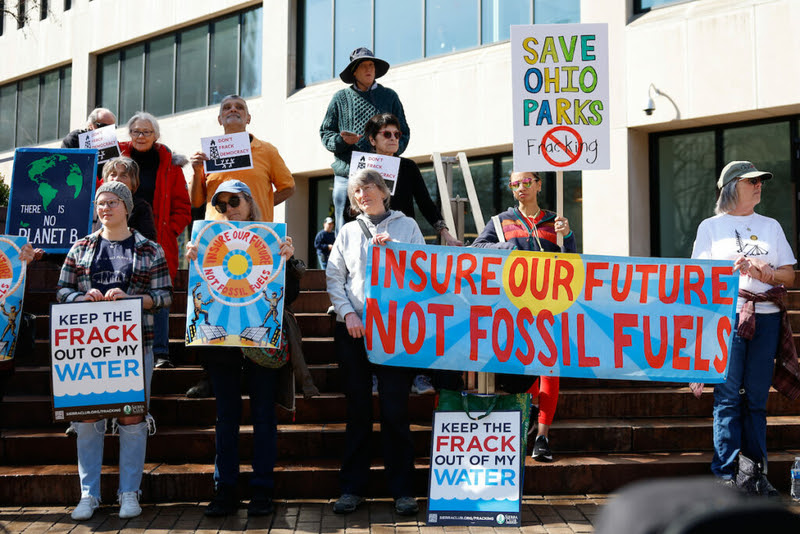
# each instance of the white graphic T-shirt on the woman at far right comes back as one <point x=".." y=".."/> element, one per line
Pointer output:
<point x="726" y="237"/>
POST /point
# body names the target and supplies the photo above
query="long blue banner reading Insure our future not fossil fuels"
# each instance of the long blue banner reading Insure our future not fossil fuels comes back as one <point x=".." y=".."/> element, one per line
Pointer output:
<point x="541" y="313"/>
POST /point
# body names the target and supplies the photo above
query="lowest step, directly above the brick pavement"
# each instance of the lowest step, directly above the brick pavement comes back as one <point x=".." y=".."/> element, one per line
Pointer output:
<point x="569" y="474"/>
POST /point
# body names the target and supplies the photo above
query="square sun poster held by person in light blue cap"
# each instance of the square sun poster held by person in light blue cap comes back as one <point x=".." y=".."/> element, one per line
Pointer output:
<point x="236" y="285"/>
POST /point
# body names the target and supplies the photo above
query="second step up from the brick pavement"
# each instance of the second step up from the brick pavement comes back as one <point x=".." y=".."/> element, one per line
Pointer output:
<point x="312" y="441"/>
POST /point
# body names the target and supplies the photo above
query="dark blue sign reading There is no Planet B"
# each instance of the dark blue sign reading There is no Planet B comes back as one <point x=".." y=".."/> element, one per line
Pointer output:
<point x="52" y="191"/>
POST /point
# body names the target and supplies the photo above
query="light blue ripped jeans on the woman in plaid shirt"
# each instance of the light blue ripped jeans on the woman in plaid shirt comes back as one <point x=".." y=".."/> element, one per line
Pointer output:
<point x="132" y="445"/>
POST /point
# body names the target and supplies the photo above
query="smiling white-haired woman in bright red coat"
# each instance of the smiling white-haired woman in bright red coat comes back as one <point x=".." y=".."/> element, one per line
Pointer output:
<point x="163" y="186"/>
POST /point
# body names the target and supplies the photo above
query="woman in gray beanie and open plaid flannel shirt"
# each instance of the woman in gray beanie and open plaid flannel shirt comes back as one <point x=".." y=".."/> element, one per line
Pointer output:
<point x="114" y="263"/>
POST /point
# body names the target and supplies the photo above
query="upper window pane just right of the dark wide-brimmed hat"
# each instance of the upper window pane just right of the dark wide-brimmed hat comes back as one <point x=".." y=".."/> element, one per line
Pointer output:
<point x="398" y="30"/>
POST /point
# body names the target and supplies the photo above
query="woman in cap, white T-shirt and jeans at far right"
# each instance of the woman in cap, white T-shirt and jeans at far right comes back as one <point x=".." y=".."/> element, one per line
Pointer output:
<point x="758" y="249"/>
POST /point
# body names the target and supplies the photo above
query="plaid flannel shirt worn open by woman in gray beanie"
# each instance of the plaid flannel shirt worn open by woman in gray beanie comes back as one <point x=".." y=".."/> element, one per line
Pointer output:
<point x="150" y="276"/>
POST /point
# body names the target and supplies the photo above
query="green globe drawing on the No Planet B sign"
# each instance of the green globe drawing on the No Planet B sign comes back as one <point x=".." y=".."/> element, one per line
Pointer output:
<point x="55" y="178"/>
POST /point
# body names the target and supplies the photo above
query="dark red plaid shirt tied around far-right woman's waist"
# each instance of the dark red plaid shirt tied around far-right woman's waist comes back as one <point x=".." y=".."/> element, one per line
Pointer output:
<point x="786" y="378"/>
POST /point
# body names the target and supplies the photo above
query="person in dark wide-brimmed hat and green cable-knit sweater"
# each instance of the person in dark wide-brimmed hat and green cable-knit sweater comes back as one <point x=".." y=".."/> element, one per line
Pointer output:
<point x="342" y="129"/>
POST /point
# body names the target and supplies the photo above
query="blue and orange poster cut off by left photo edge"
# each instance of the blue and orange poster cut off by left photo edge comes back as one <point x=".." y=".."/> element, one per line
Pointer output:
<point x="12" y="291"/>
